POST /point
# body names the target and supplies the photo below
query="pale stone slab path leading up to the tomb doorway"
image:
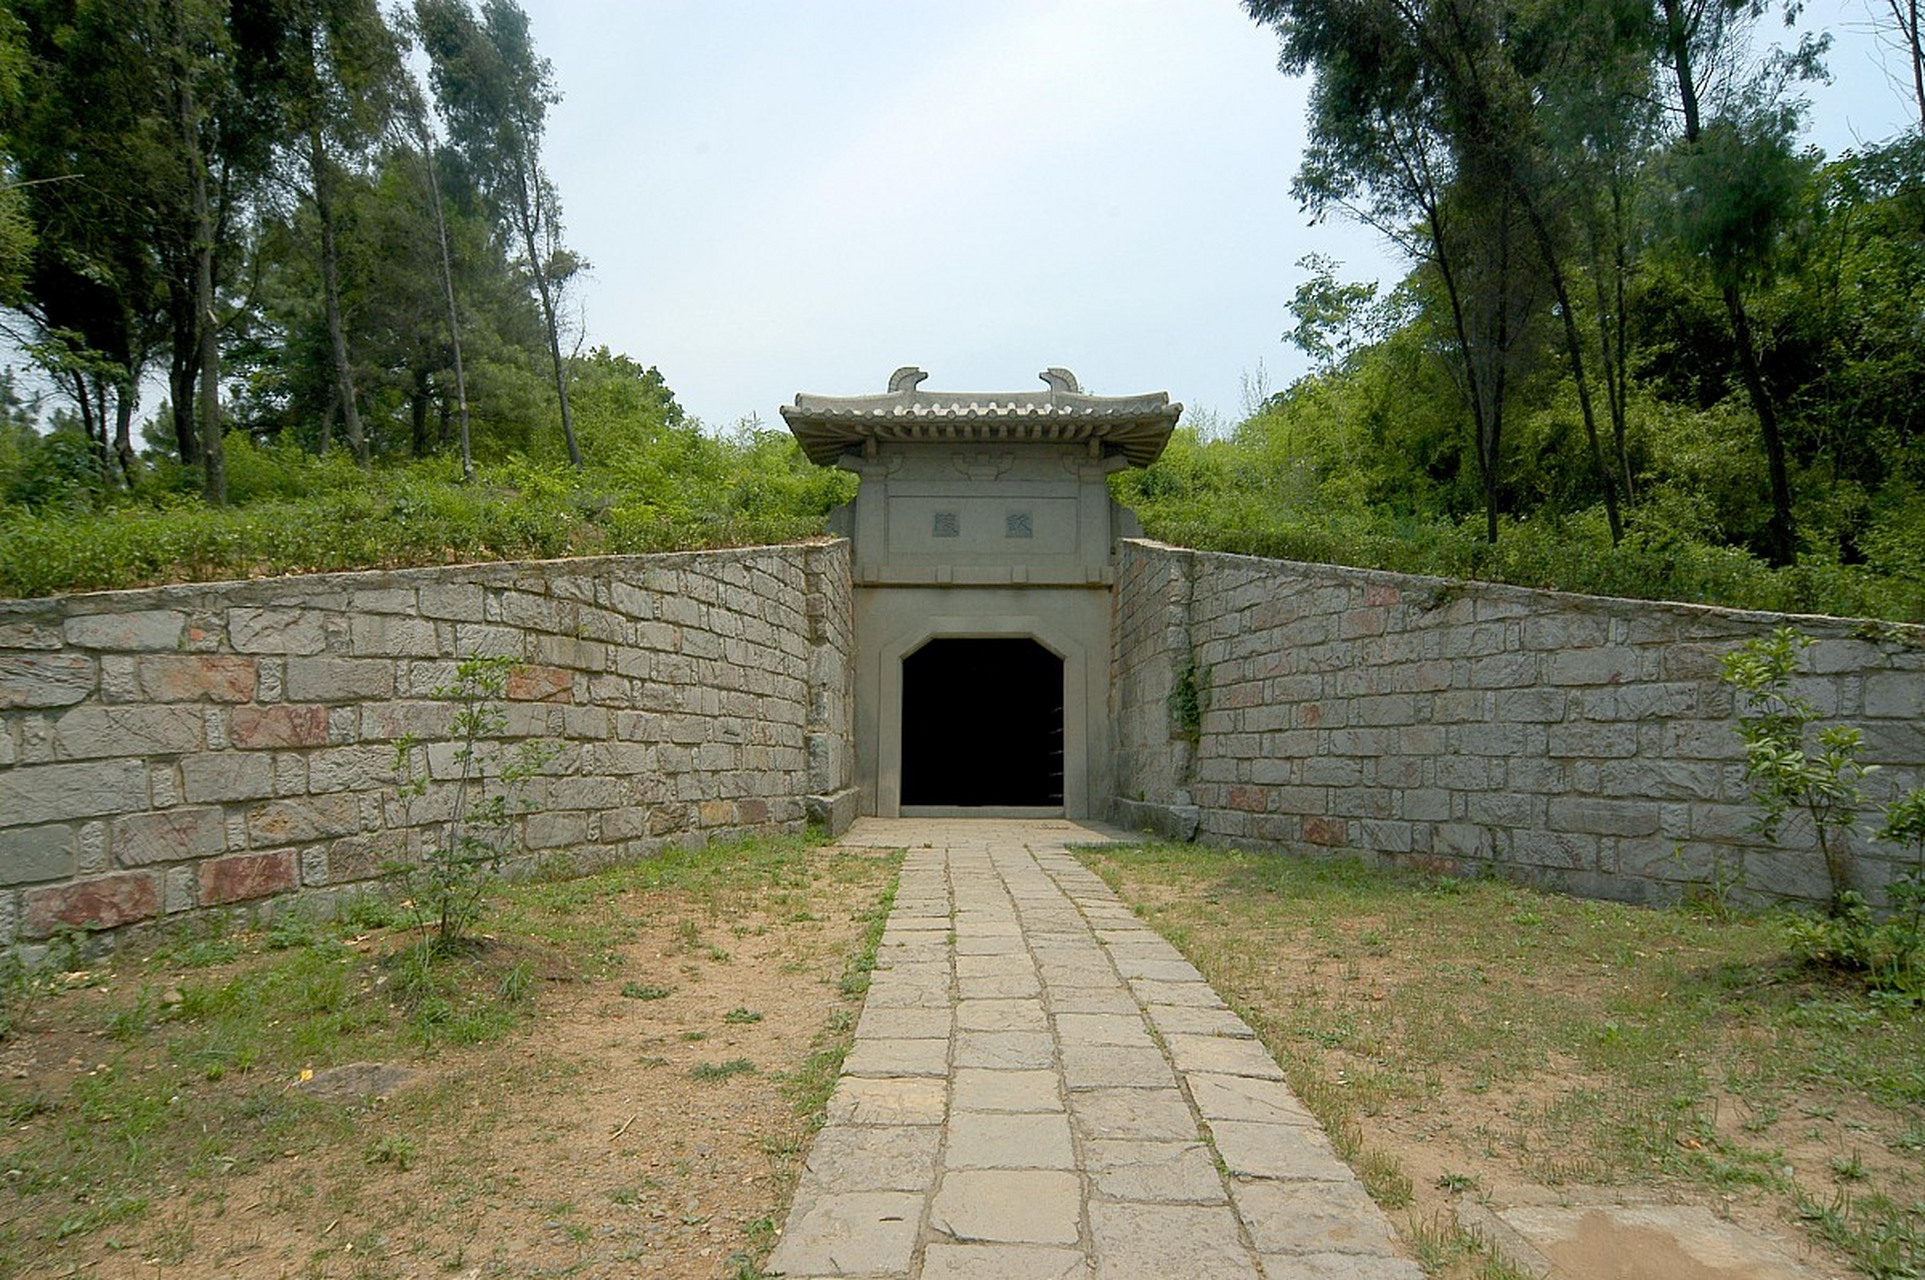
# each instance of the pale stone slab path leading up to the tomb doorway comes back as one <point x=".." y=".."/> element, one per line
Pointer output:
<point x="1042" y="1088"/>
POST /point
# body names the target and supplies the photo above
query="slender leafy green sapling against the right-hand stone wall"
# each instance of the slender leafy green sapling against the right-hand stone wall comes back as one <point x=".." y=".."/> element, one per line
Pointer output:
<point x="1784" y="775"/>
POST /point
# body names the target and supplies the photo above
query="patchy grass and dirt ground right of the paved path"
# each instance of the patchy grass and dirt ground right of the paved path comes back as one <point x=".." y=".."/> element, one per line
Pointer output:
<point x="1462" y="1035"/>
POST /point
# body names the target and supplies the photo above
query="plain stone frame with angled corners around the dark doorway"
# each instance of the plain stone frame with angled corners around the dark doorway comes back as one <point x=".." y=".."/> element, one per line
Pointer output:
<point x="886" y="678"/>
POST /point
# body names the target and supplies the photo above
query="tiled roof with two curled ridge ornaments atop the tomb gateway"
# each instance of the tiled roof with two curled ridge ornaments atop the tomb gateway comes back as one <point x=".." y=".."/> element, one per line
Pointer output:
<point x="1135" y="428"/>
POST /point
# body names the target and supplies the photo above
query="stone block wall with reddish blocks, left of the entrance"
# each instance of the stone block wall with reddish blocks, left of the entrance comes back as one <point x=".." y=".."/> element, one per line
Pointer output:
<point x="193" y="748"/>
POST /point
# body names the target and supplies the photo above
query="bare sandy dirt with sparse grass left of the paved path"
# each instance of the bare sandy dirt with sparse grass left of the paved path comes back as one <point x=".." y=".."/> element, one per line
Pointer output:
<point x="609" y="1137"/>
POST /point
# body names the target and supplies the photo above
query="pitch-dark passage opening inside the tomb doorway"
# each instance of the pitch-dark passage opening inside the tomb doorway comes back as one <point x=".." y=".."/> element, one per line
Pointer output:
<point x="983" y="725"/>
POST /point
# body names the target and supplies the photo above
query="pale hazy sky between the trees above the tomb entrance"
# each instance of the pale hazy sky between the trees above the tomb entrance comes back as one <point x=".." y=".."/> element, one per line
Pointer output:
<point x="804" y="195"/>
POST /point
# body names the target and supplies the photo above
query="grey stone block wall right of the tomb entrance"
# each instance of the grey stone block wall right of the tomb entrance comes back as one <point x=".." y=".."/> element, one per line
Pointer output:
<point x="1574" y="742"/>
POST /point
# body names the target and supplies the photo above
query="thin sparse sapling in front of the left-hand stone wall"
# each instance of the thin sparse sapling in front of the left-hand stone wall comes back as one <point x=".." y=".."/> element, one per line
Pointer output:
<point x="490" y="788"/>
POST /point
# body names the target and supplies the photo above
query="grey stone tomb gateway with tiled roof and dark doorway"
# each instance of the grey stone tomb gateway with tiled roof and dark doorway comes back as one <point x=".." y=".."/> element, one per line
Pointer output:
<point x="983" y="553"/>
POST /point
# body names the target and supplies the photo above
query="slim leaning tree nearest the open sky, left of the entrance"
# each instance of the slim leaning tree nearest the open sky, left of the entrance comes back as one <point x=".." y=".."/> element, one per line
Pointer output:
<point x="494" y="93"/>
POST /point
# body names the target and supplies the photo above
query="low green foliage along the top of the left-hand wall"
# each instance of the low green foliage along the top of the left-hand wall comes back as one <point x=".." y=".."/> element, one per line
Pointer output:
<point x="673" y="488"/>
